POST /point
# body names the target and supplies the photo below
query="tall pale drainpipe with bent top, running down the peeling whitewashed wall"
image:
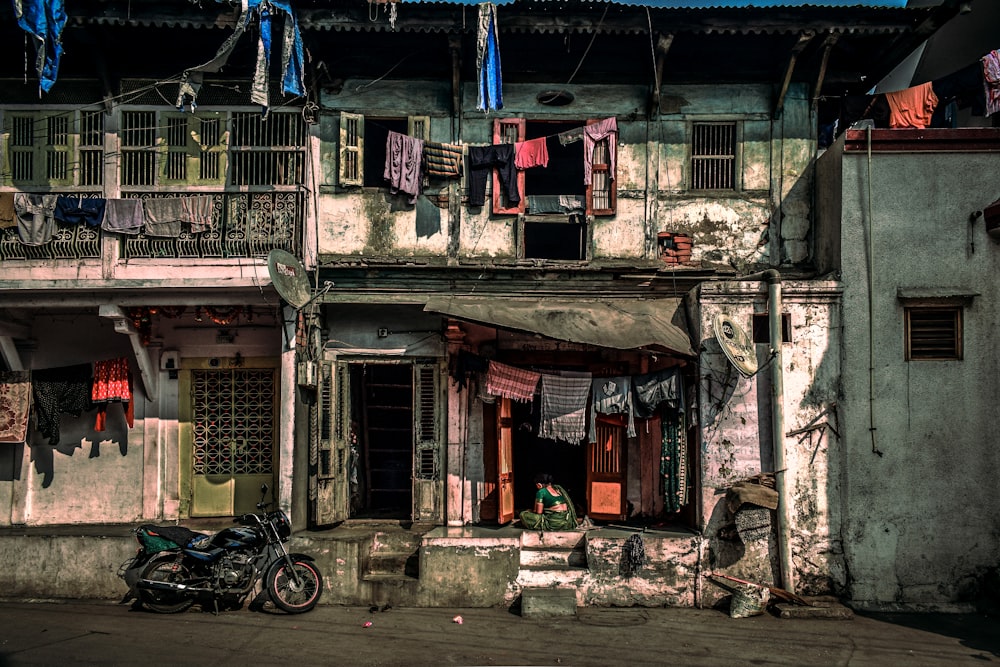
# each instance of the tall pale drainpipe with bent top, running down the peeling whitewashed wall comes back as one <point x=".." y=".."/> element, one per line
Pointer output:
<point x="773" y="278"/>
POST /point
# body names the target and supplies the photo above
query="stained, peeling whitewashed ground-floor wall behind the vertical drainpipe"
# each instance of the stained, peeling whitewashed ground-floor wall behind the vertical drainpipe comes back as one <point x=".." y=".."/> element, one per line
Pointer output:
<point x="734" y="419"/>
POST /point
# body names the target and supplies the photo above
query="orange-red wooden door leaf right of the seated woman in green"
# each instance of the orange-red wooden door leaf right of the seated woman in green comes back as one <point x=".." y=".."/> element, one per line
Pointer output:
<point x="606" y="470"/>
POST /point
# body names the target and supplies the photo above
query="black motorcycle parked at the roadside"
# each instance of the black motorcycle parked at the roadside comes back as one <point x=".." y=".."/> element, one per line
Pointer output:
<point x="176" y="567"/>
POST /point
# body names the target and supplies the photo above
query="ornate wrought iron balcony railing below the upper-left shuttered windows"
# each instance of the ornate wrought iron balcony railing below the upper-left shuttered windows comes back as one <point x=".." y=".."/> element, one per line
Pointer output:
<point x="245" y="224"/>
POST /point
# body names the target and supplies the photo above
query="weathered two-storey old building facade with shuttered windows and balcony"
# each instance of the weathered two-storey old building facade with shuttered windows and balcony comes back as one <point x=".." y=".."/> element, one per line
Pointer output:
<point x="363" y="398"/>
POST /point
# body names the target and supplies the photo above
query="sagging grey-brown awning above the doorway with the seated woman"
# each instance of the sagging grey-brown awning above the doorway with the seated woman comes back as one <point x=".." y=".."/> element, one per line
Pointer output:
<point x="623" y="324"/>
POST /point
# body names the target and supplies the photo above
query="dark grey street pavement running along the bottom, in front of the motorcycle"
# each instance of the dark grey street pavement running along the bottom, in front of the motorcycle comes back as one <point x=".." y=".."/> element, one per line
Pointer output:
<point x="102" y="633"/>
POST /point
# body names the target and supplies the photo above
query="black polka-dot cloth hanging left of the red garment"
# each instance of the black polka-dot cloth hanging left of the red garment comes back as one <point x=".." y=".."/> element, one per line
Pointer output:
<point x="57" y="391"/>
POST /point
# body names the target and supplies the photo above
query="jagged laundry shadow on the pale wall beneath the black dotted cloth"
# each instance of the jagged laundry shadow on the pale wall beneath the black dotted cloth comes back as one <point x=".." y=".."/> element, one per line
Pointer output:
<point x="75" y="433"/>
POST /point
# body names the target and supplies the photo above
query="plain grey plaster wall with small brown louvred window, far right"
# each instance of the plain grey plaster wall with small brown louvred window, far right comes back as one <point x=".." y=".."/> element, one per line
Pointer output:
<point x="921" y="520"/>
